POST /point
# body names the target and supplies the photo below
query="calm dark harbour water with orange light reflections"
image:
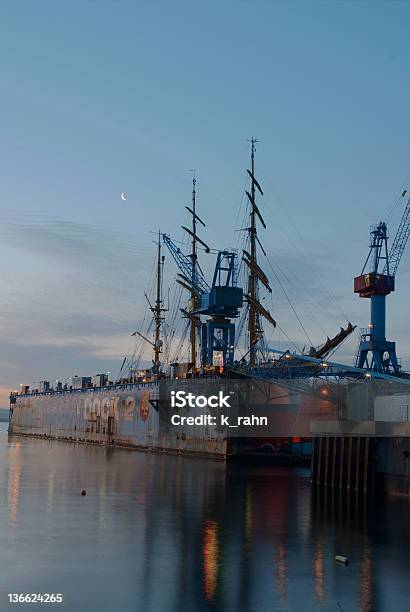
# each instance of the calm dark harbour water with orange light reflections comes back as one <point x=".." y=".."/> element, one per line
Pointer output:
<point x="162" y="533"/>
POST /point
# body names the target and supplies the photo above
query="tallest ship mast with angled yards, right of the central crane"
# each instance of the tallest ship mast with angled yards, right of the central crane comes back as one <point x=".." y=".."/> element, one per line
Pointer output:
<point x="256" y="274"/>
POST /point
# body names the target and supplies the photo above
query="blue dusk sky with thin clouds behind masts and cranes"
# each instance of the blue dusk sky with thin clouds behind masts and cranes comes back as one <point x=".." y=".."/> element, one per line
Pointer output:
<point x="97" y="98"/>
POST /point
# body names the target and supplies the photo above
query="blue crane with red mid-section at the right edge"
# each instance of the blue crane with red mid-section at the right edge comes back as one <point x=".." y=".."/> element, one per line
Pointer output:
<point x="375" y="352"/>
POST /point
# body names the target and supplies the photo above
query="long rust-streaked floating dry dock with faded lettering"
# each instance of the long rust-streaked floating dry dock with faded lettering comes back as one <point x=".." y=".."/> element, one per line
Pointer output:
<point x="141" y="416"/>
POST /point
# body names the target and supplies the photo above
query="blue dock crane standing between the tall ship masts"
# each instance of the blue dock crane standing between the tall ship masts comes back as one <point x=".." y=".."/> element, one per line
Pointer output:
<point x="220" y="301"/>
